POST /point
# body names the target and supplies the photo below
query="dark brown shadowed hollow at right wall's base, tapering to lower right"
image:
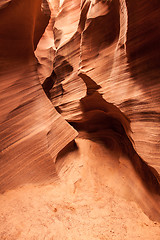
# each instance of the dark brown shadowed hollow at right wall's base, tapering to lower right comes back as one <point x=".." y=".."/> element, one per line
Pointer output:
<point x="104" y="122"/>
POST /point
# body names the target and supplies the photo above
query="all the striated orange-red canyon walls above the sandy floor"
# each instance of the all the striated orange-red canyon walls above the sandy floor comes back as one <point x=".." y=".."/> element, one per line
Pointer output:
<point x="93" y="64"/>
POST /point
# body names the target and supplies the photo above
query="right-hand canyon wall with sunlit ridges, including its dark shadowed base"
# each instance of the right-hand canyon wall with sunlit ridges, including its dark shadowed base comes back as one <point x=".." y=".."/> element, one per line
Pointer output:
<point x="104" y="53"/>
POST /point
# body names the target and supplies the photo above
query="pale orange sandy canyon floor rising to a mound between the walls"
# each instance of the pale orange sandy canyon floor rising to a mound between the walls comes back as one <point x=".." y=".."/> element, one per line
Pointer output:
<point x="91" y="200"/>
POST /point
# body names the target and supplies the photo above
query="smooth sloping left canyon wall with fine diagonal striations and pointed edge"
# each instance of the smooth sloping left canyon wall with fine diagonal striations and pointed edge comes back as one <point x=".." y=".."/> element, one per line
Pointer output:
<point x="29" y="124"/>
